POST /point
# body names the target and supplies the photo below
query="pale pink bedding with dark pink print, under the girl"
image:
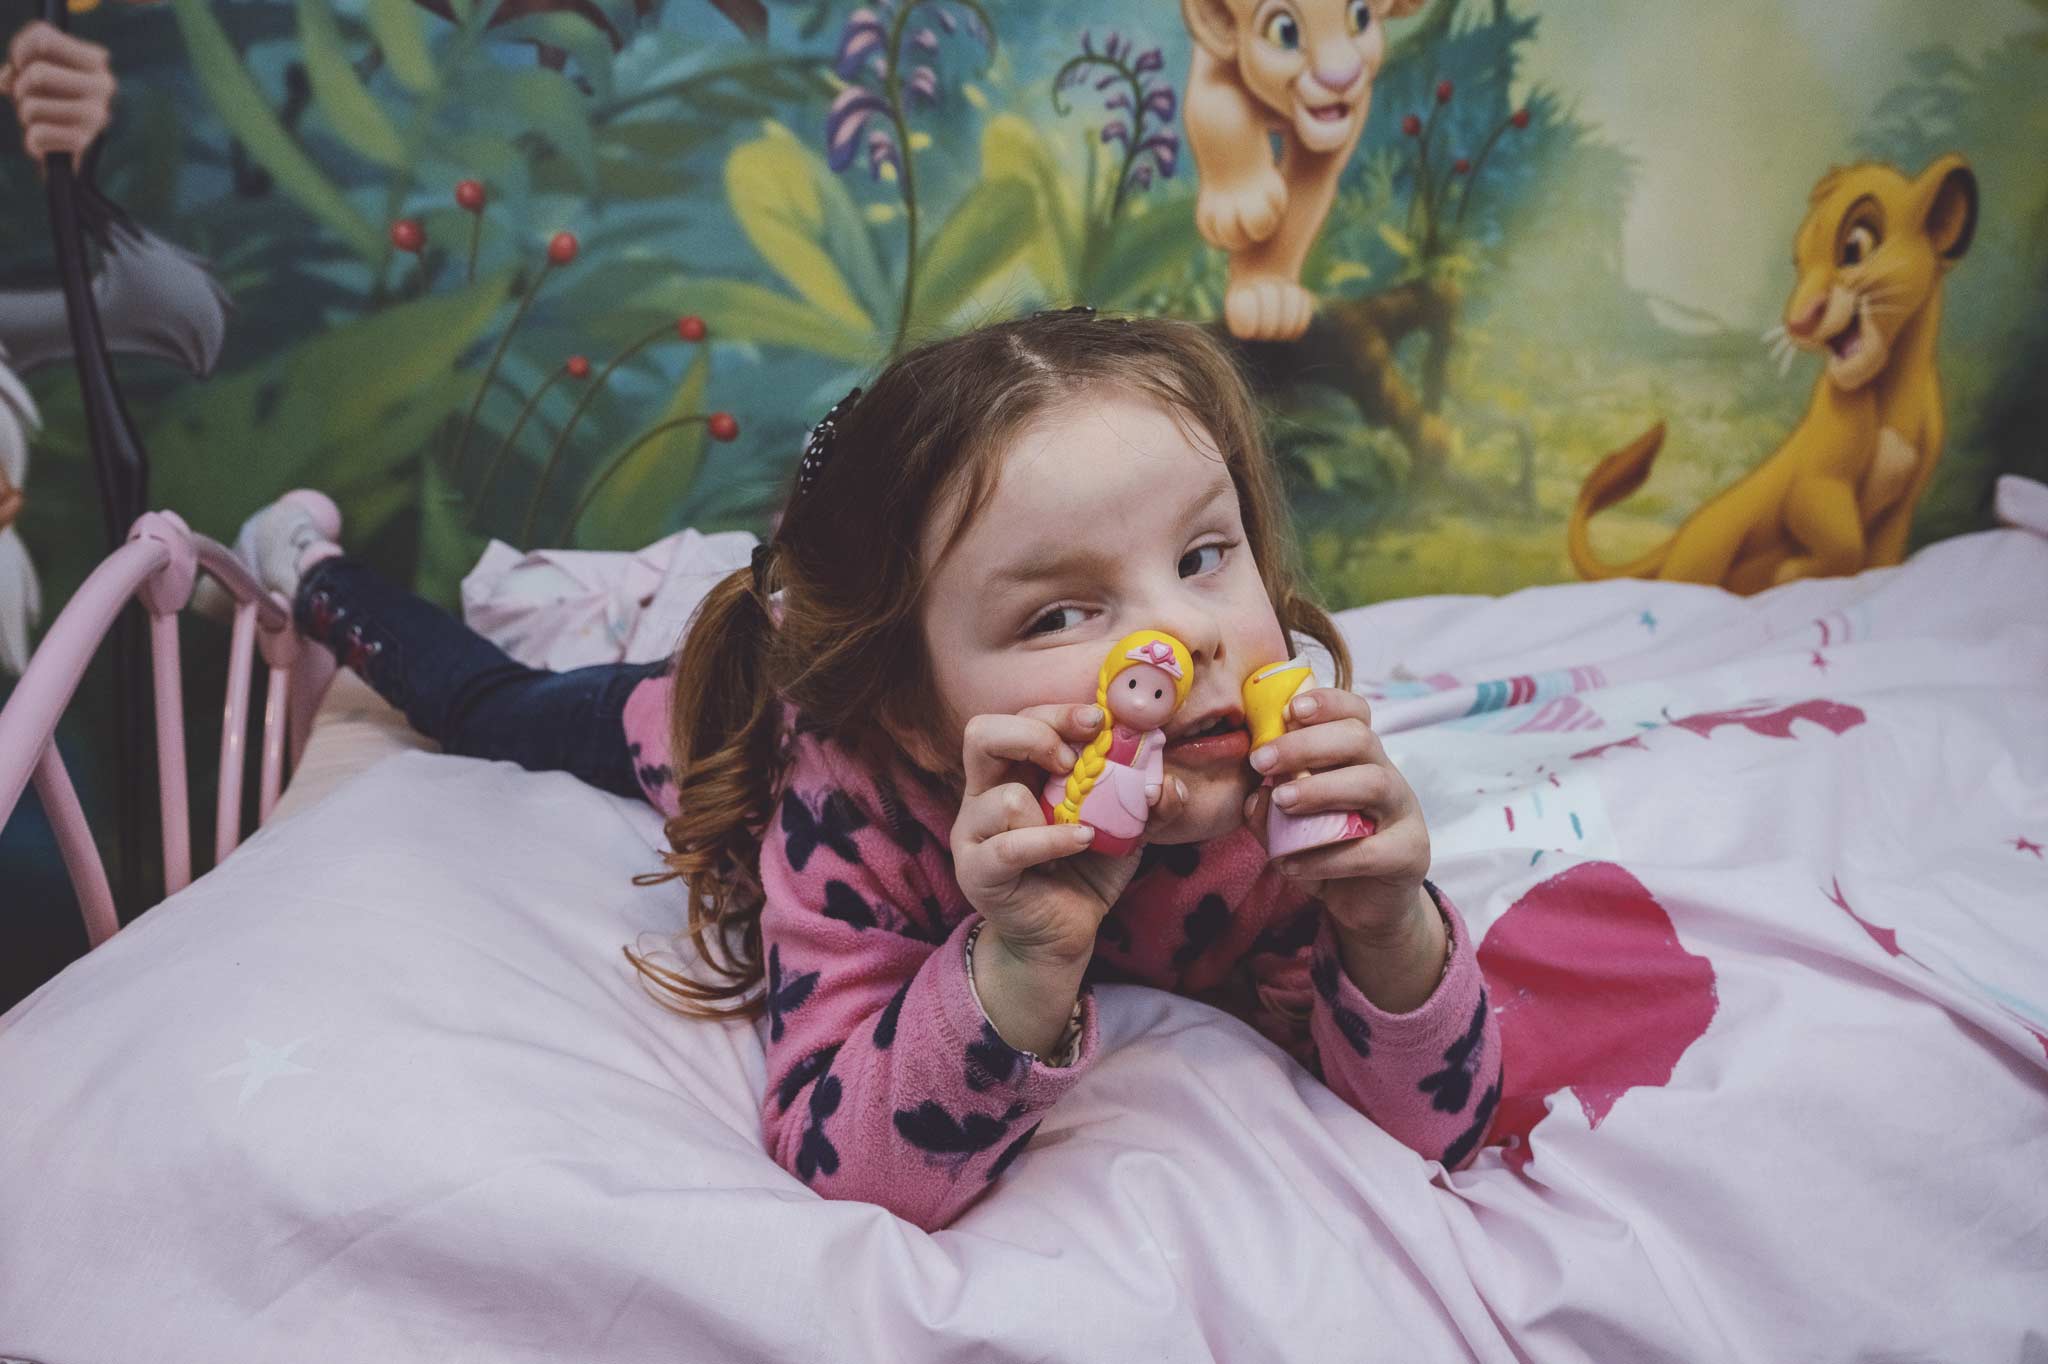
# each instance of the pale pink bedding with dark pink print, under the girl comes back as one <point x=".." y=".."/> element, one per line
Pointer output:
<point x="1764" y="904"/>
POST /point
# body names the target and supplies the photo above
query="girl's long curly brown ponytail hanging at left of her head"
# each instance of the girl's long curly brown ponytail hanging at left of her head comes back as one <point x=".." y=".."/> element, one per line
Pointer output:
<point x="722" y="742"/>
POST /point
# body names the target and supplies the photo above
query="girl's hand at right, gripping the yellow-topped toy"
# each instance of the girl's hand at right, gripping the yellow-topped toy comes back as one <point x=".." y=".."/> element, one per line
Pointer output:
<point x="1371" y="886"/>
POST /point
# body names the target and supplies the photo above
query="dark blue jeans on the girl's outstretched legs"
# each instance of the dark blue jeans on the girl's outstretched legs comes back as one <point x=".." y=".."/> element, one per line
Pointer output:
<point x="466" y="693"/>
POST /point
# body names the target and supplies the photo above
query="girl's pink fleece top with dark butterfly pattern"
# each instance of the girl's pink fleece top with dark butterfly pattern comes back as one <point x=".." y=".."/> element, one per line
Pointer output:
<point x="888" y="1082"/>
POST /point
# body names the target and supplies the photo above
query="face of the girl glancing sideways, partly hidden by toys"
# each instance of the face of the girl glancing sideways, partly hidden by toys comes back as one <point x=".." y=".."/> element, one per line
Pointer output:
<point x="1107" y="517"/>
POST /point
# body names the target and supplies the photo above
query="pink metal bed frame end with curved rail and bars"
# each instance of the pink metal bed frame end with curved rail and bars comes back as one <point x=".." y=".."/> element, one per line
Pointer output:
<point x="161" y="566"/>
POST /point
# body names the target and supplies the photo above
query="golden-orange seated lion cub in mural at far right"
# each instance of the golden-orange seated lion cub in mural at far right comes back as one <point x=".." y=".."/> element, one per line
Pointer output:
<point x="1840" y="493"/>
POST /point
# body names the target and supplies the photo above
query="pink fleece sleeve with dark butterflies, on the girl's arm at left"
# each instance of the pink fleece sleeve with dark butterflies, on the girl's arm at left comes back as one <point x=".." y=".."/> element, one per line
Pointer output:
<point x="886" y="1080"/>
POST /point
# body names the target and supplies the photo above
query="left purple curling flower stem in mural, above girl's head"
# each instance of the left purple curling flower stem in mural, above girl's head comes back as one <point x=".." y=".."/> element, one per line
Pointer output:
<point x="873" y="52"/>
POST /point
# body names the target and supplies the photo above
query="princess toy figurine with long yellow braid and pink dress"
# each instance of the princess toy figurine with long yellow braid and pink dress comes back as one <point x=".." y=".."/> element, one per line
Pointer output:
<point x="1144" y="681"/>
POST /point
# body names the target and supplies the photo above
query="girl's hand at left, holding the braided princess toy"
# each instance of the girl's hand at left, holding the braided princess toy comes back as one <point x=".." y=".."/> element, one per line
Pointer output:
<point x="1039" y="888"/>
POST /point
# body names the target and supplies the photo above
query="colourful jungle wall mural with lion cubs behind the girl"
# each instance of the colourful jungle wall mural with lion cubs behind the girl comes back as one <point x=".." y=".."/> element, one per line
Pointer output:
<point x="1535" y="292"/>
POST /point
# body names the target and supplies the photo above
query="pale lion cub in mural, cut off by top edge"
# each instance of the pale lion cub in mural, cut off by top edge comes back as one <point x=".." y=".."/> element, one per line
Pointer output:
<point x="1297" y="69"/>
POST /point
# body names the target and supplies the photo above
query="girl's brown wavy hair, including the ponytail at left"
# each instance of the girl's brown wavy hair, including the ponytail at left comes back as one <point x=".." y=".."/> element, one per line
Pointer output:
<point x="849" y="650"/>
